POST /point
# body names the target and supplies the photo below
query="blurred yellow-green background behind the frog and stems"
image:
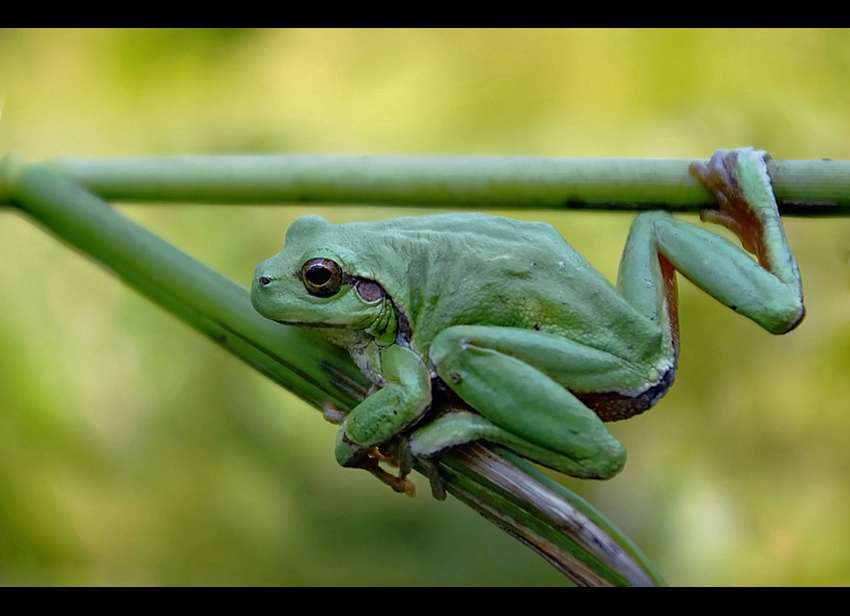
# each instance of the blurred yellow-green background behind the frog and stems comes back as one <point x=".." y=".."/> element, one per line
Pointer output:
<point x="133" y="451"/>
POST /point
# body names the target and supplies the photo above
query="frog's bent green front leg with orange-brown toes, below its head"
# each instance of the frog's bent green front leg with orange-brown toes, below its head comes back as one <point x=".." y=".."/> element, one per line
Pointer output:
<point x="384" y="414"/>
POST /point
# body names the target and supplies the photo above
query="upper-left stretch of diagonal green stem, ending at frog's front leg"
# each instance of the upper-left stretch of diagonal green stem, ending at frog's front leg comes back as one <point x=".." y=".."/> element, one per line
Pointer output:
<point x="211" y="303"/>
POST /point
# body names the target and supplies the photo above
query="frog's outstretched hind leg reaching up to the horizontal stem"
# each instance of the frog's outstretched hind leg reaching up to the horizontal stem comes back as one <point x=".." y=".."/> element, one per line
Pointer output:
<point x="768" y="291"/>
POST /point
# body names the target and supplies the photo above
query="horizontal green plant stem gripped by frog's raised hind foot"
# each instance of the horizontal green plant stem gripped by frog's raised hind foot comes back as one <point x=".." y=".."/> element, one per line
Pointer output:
<point x="803" y="188"/>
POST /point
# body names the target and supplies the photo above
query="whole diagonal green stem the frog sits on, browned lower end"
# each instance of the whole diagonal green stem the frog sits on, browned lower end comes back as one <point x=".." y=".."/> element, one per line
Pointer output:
<point x="506" y="490"/>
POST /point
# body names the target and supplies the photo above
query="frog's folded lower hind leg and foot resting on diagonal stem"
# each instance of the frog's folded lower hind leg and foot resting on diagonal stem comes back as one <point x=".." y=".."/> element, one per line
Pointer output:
<point x="521" y="407"/>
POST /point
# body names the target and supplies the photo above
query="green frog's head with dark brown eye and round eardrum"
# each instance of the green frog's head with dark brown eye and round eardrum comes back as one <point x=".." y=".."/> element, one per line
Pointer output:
<point x="314" y="282"/>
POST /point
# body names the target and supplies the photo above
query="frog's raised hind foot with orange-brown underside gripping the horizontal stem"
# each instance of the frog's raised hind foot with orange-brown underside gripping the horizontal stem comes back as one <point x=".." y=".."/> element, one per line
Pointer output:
<point x="739" y="211"/>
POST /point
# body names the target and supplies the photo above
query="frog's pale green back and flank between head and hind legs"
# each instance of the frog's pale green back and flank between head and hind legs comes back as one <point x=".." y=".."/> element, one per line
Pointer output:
<point x="464" y="269"/>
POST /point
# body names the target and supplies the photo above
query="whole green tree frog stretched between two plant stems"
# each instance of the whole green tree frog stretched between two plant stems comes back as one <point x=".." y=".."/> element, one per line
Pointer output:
<point x="540" y="348"/>
